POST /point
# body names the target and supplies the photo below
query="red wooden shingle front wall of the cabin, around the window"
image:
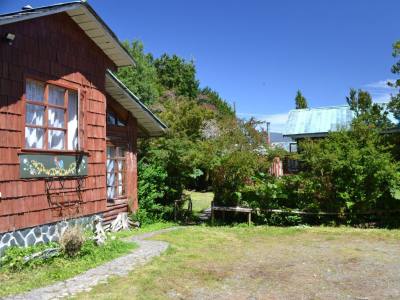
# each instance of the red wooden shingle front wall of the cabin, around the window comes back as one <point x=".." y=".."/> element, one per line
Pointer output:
<point x="50" y="48"/>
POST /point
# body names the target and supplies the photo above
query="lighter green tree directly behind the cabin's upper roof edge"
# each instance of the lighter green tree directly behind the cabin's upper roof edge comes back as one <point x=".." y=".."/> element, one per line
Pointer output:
<point x="142" y="78"/>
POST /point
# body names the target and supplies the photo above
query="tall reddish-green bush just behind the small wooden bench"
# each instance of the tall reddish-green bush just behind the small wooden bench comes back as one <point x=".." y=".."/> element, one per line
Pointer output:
<point x="240" y="154"/>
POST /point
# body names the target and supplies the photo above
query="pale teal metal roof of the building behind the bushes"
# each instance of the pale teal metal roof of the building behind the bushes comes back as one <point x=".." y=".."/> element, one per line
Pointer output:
<point x="316" y="122"/>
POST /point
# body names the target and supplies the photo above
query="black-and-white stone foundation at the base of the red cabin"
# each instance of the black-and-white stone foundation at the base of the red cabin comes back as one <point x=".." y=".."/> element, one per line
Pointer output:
<point x="42" y="233"/>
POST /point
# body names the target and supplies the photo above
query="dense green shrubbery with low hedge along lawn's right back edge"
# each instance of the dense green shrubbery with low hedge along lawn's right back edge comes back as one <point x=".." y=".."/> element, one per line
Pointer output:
<point x="350" y="174"/>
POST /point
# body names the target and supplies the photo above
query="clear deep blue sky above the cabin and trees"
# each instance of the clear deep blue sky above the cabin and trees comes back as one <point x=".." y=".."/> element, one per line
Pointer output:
<point x="258" y="52"/>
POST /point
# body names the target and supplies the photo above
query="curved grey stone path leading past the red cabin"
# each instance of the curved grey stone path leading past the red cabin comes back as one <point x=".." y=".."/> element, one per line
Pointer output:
<point x="117" y="267"/>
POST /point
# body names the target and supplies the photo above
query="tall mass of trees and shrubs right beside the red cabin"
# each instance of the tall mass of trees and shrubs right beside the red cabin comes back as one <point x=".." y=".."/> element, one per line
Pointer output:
<point x="206" y="145"/>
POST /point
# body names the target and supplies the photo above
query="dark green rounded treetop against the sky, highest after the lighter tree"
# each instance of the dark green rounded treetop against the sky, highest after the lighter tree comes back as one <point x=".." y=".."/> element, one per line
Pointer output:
<point x="178" y="75"/>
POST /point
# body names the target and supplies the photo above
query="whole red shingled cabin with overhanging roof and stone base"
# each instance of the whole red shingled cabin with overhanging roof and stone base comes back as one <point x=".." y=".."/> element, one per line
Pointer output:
<point x="68" y="126"/>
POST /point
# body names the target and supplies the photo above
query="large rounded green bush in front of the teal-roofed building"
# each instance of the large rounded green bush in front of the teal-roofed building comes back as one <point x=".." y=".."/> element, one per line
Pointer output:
<point x="353" y="171"/>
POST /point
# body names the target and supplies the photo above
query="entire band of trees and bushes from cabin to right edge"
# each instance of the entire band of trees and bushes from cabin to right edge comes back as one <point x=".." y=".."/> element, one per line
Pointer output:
<point x="352" y="174"/>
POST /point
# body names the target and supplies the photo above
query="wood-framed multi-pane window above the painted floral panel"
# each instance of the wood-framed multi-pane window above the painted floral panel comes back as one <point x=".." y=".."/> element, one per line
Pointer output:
<point x="51" y="117"/>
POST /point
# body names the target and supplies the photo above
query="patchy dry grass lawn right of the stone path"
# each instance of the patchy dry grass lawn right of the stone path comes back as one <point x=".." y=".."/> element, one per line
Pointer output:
<point x="266" y="263"/>
